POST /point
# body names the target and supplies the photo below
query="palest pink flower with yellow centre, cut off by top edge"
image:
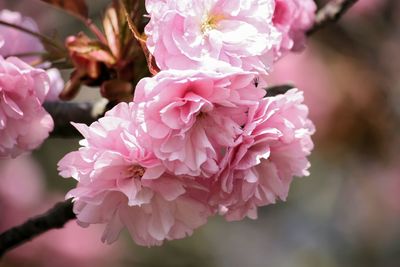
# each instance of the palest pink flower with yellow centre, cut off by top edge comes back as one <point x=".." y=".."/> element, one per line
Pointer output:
<point x="184" y="34"/>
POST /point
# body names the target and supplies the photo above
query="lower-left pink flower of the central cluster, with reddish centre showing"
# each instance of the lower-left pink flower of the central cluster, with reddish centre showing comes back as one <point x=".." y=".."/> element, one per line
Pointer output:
<point x="122" y="183"/>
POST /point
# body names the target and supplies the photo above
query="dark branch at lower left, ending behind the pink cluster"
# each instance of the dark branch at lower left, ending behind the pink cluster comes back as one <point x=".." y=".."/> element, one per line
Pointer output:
<point x="55" y="218"/>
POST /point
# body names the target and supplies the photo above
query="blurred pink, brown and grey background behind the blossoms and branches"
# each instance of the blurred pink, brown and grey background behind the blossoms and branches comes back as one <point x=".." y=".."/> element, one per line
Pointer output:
<point x="347" y="213"/>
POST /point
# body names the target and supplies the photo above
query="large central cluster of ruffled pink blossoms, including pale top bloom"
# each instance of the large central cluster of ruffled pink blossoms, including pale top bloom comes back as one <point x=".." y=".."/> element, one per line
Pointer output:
<point x="200" y="137"/>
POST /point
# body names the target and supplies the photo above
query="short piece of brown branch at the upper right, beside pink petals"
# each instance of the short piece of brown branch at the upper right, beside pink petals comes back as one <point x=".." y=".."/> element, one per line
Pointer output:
<point x="330" y="13"/>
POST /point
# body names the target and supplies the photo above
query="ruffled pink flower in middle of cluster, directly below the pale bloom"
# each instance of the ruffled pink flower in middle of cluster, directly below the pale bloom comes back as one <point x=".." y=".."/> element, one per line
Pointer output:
<point x="191" y="117"/>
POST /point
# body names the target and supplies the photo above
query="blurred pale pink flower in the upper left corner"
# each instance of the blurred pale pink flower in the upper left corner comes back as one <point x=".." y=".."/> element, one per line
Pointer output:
<point x="17" y="42"/>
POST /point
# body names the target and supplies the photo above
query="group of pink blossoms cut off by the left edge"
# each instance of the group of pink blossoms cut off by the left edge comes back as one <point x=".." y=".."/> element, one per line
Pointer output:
<point x="24" y="124"/>
